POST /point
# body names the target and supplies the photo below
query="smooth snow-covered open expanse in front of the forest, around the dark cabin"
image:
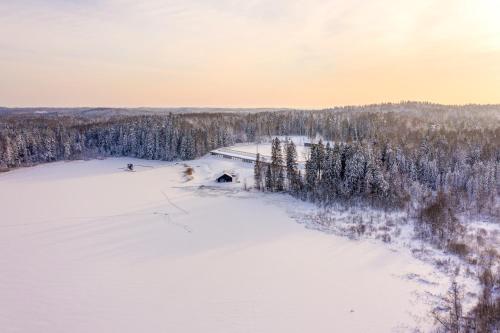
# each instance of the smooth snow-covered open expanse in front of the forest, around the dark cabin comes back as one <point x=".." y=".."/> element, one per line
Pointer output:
<point x="88" y="247"/>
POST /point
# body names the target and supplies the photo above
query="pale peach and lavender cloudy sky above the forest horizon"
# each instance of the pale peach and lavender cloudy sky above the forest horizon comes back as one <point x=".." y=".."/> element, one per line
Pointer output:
<point x="252" y="53"/>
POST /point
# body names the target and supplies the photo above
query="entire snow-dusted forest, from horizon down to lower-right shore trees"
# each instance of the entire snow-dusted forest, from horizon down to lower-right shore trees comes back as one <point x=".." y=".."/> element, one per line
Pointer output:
<point x="440" y="165"/>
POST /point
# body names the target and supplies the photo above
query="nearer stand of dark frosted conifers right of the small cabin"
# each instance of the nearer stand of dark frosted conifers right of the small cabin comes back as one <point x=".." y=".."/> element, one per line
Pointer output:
<point x="384" y="175"/>
